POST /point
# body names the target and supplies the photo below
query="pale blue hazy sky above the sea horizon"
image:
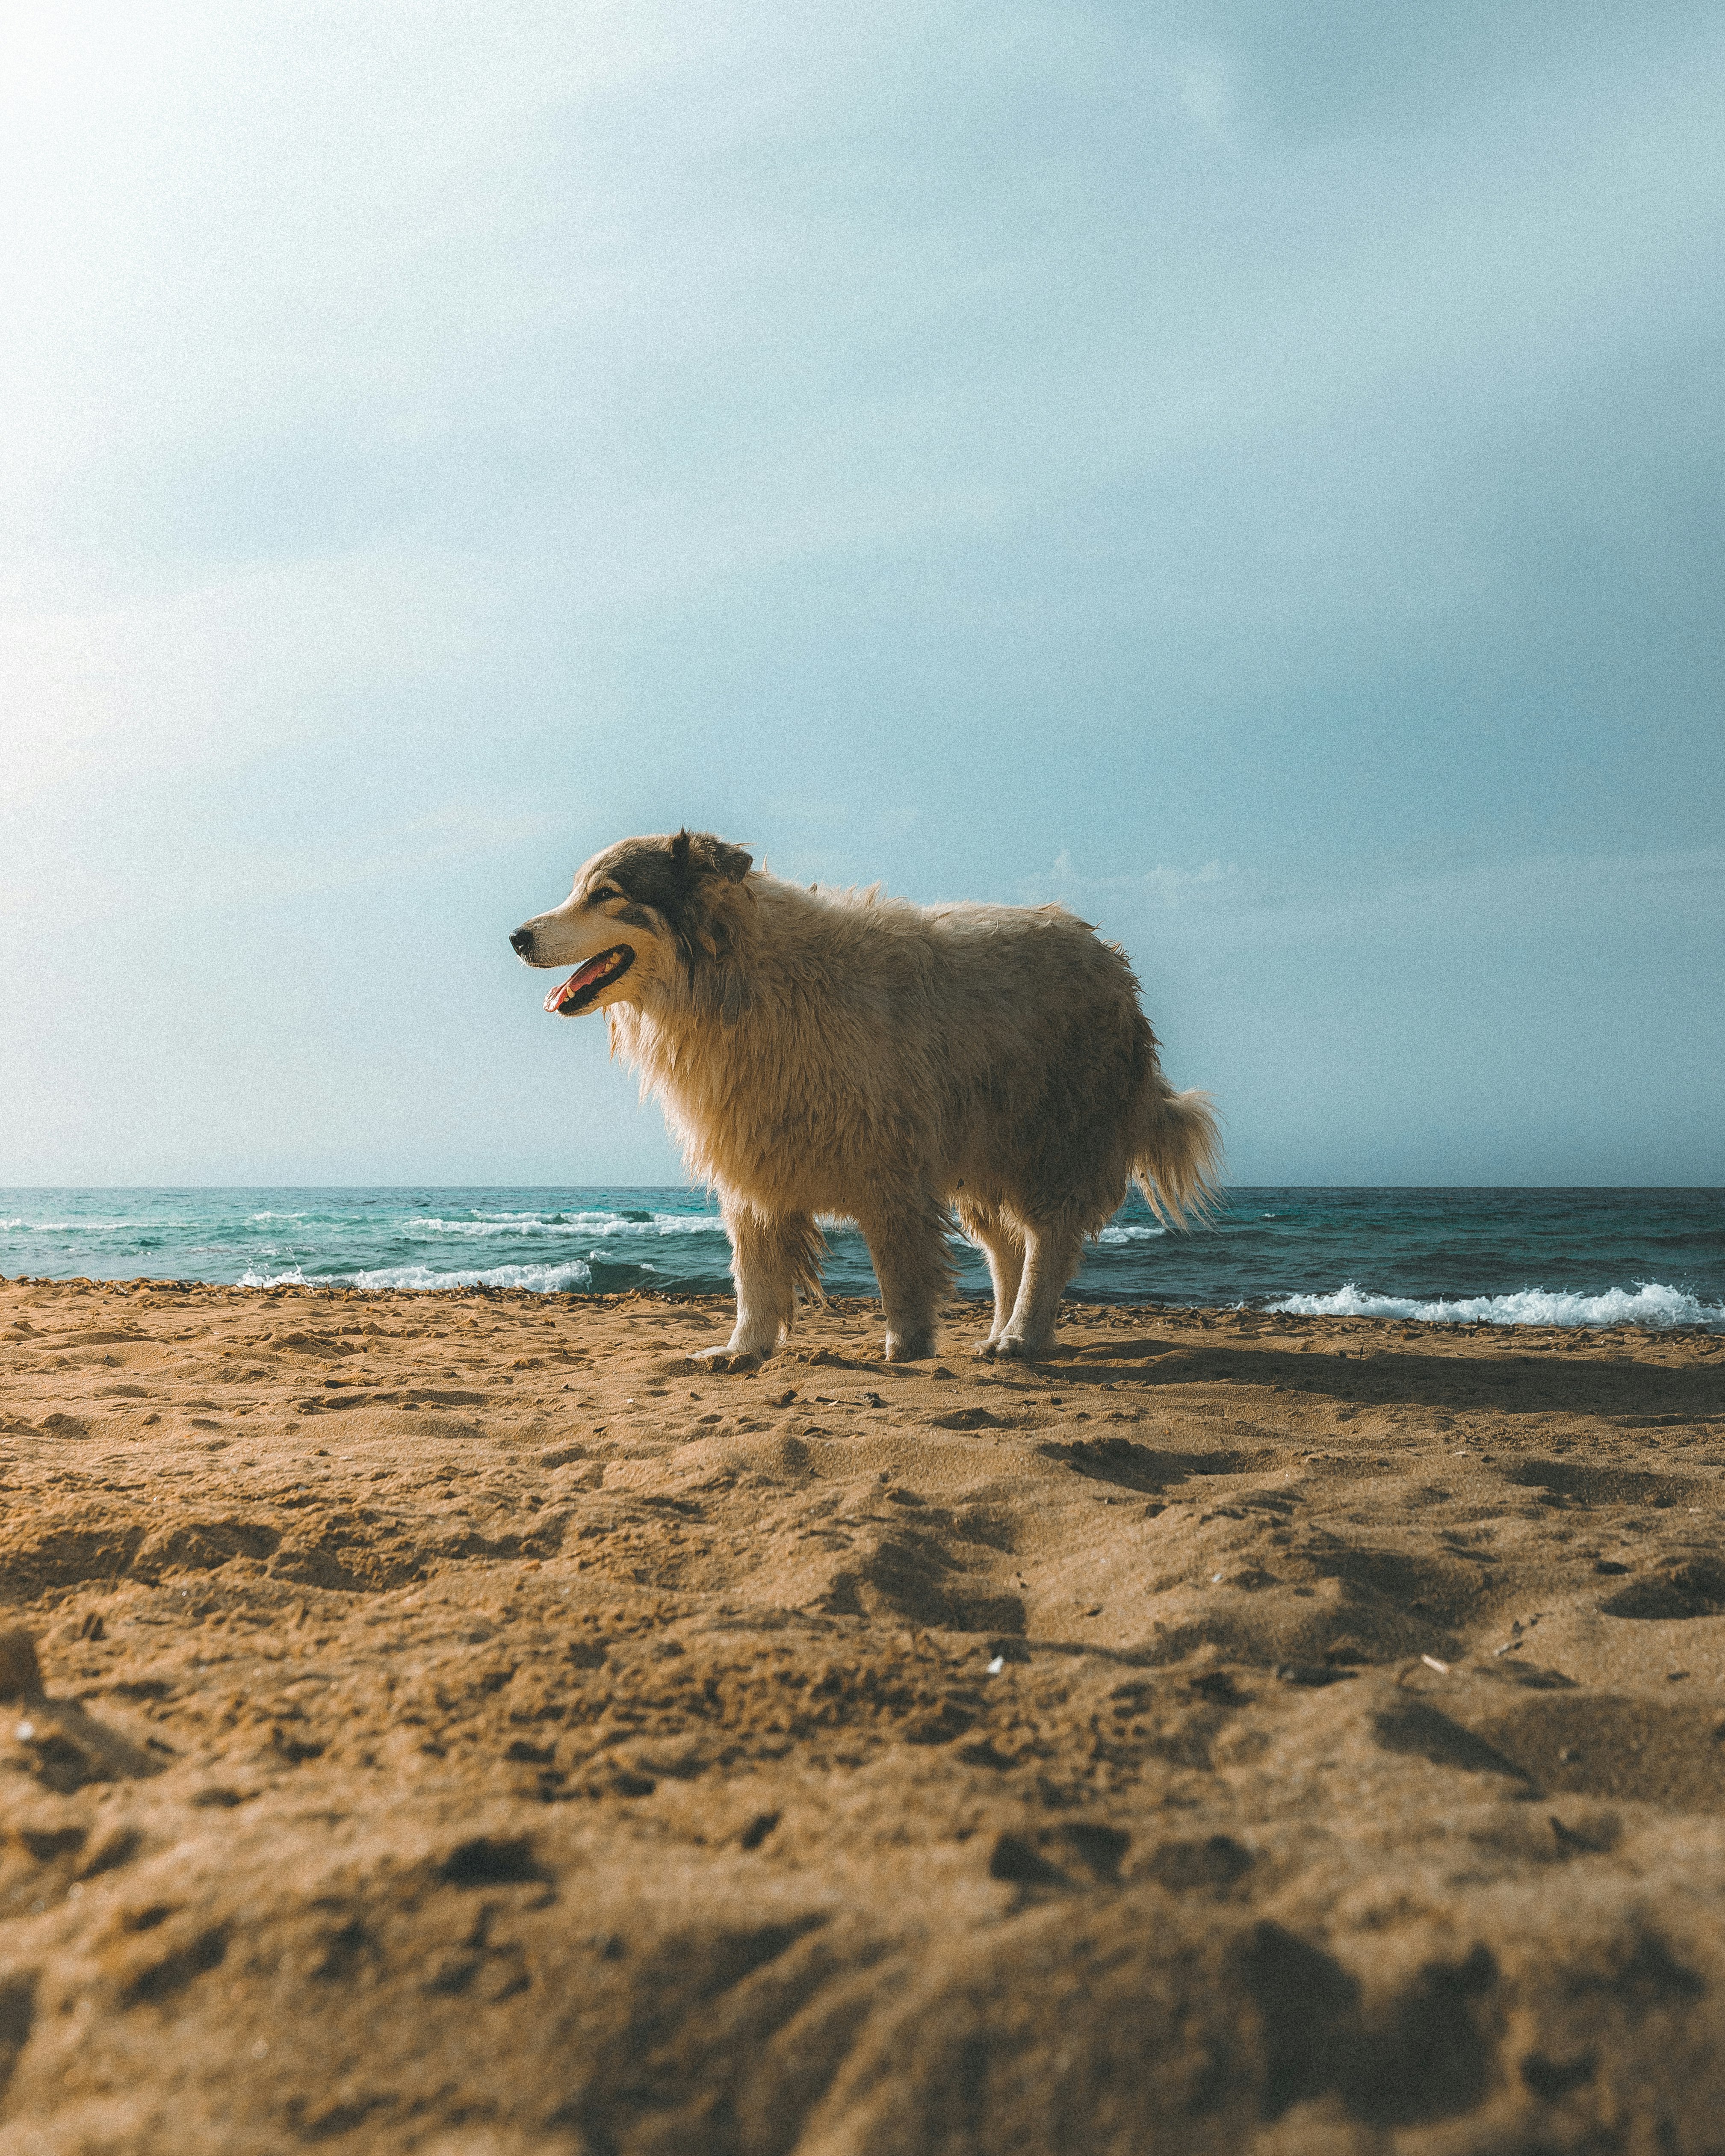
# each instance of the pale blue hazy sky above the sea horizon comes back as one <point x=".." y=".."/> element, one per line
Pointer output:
<point x="1252" y="473"/>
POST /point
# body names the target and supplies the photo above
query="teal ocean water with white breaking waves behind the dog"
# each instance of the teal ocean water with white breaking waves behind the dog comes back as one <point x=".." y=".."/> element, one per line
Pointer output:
<point x="1554" y="1258"/>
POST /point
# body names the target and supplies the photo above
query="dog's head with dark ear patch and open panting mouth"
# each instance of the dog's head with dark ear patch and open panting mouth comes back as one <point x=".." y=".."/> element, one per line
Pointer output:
<point x="644" y="915"/>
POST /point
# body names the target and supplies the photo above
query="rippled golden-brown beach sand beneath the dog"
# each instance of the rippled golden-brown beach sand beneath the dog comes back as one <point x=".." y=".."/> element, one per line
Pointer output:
<point x="471" y="1728"/>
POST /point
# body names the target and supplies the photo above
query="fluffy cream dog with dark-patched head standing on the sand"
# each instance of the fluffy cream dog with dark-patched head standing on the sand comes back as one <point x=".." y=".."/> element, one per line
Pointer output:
<point x="838" y="1053"/>
